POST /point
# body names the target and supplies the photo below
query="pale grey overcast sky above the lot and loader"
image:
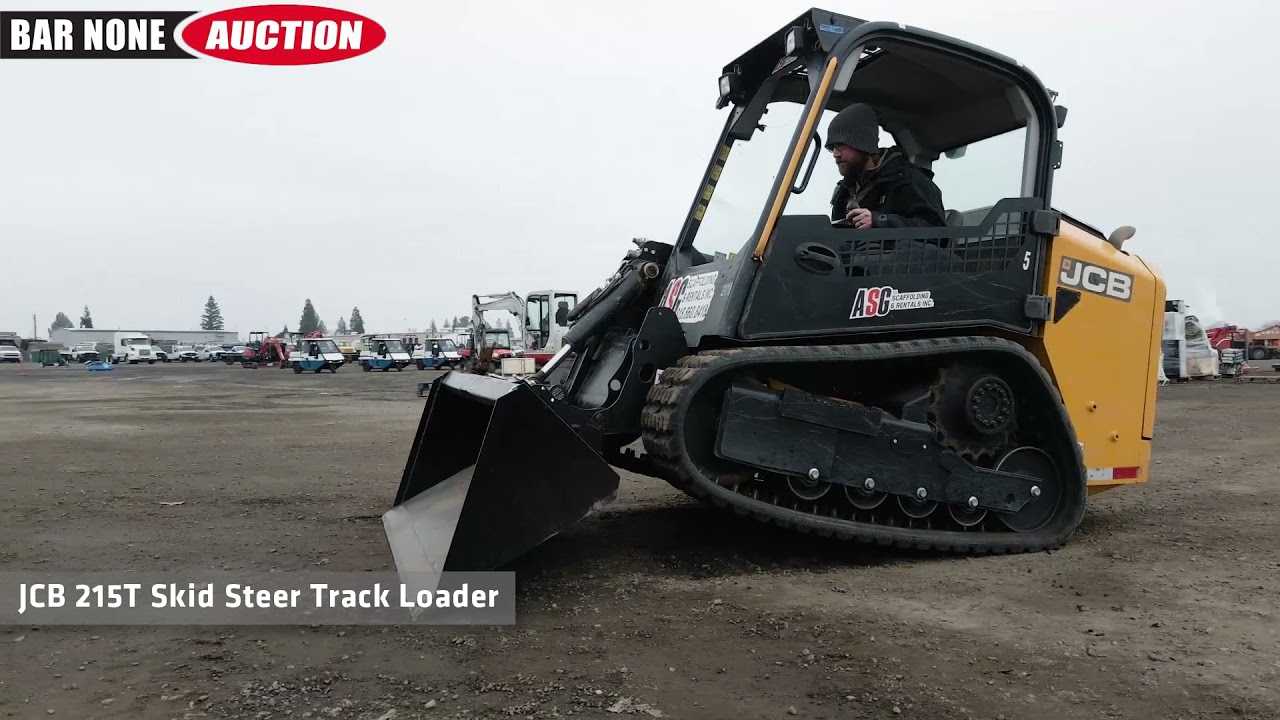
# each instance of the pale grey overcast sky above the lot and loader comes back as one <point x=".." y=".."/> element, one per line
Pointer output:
<point x="515" y="130"/>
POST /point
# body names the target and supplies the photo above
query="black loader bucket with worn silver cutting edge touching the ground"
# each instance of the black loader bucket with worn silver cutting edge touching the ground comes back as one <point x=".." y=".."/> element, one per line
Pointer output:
<point x="492" y="475"/>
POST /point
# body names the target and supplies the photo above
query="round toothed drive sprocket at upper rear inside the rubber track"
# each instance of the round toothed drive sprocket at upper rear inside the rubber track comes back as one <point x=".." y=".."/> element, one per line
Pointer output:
<point x="975" y="412"/>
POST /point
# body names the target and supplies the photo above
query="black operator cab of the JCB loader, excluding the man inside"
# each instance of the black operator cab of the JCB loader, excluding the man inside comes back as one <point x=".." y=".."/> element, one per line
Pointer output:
<point x="980" y="124"/>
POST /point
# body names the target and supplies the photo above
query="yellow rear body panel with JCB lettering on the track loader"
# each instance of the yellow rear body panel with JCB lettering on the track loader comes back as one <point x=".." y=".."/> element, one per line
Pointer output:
<point x="1104" y="352"/>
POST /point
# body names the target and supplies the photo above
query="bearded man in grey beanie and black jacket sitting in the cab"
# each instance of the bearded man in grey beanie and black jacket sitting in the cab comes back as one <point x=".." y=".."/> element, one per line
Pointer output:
<point x="879" y="188"/>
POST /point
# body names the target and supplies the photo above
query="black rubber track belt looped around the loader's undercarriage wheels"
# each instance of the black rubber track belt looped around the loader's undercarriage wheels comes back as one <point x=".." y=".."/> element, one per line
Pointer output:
<point x="671" y="395"/>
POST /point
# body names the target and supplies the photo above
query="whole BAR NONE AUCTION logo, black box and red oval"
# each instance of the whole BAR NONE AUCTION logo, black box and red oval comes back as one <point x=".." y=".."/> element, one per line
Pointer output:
<point x="260" y="35"/>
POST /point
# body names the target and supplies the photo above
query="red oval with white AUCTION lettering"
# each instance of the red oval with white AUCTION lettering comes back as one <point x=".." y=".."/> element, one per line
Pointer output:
<point x="284" y="35"/>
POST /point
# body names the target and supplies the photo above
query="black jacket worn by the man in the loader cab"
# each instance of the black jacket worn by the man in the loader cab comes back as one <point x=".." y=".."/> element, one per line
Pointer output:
<point x="899" y="195"/>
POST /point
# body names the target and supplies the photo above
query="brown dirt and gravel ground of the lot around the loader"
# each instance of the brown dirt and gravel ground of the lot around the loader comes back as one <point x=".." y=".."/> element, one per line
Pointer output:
<point x="1164" y="605"/>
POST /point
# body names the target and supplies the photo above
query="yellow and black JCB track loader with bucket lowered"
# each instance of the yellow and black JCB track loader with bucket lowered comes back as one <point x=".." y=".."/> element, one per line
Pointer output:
<point x="959" y="388"/>
